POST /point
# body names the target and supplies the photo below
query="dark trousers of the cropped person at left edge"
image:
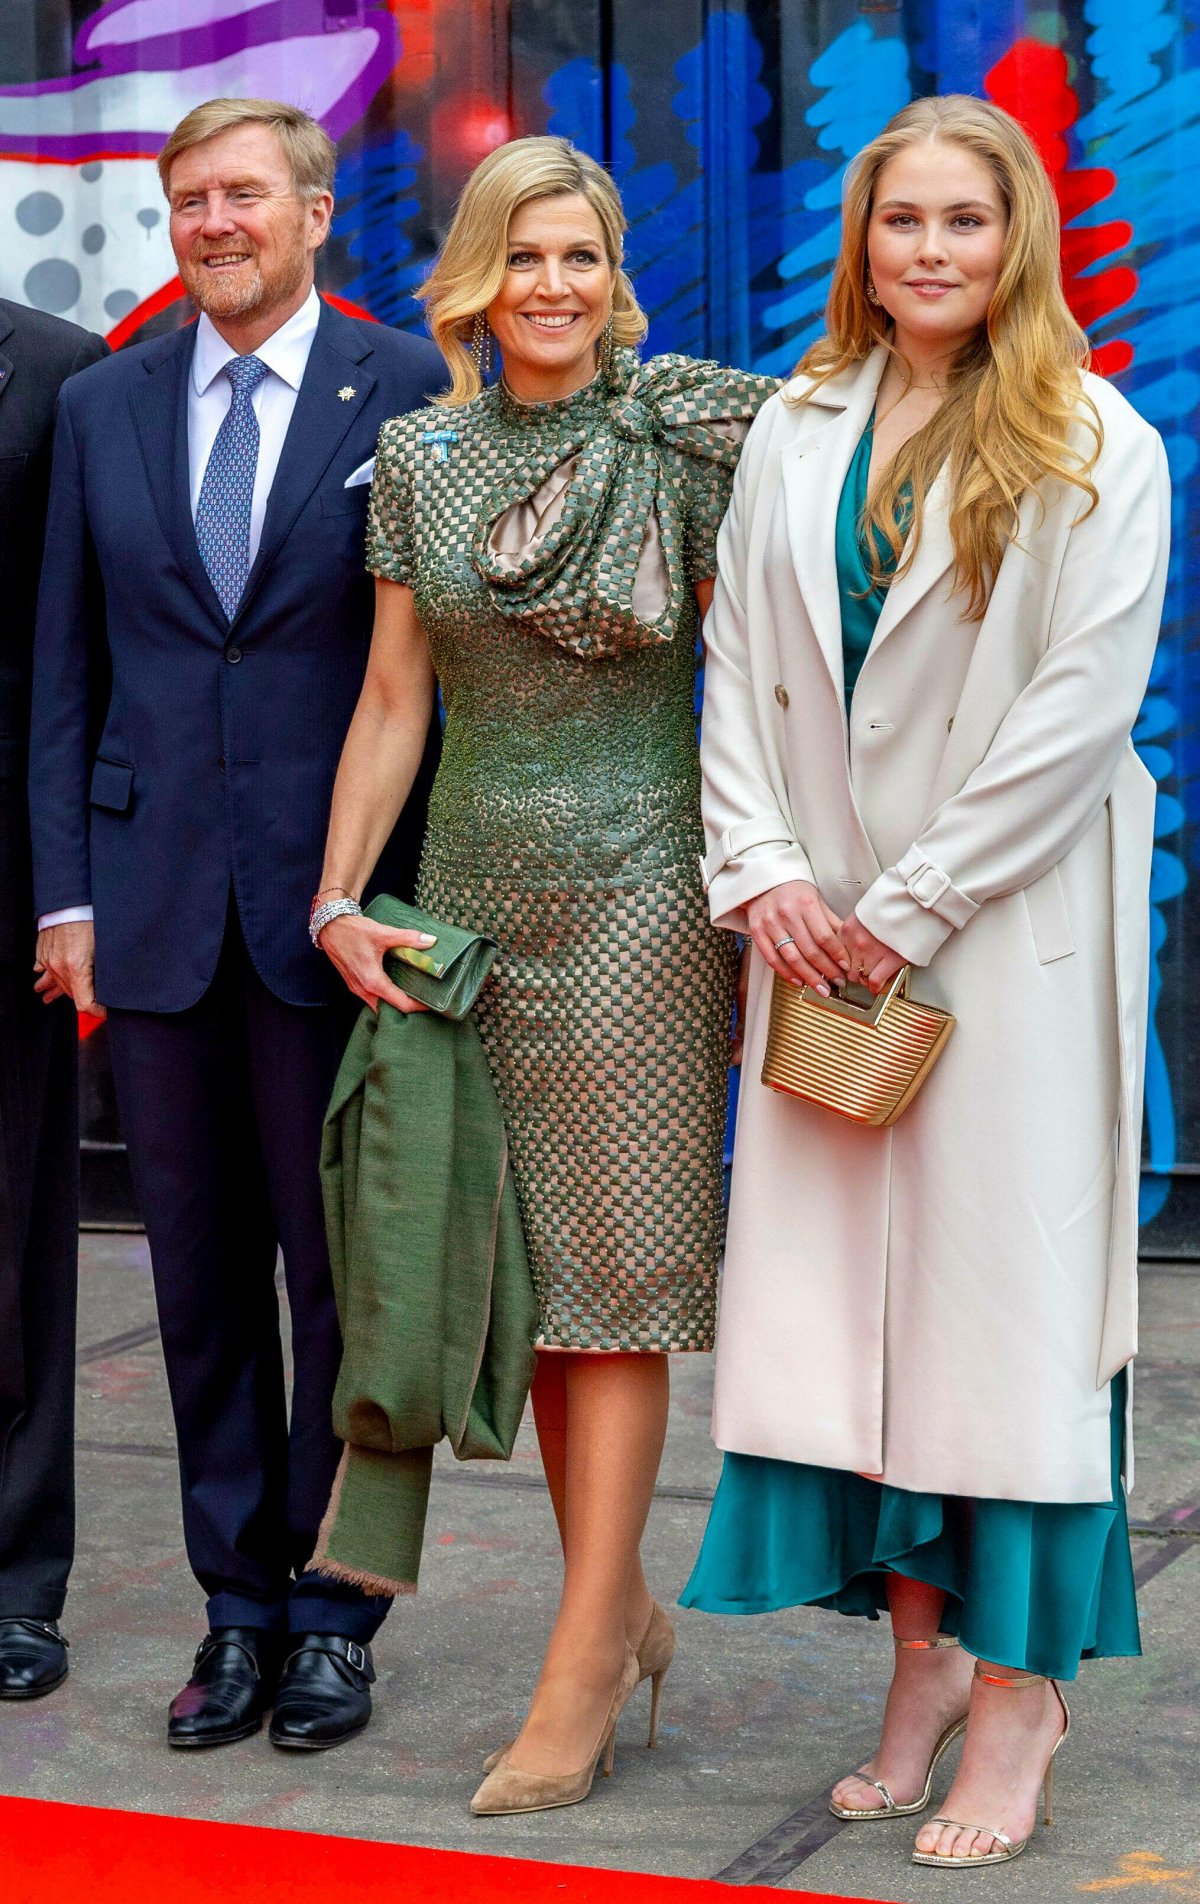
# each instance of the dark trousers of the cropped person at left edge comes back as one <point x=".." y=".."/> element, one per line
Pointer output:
<point x="39" y="1248"/>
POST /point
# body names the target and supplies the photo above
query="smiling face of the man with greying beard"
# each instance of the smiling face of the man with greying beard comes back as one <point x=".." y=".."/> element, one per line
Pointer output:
<point x="243" y="237"/>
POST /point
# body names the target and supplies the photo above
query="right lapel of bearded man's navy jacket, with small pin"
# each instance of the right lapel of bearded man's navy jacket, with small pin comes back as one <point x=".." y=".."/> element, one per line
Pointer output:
<point x="321" y="420"/>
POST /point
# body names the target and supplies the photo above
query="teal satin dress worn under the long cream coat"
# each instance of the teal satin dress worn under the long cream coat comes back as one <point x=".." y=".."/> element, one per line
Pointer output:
<point x="1030" y="1585"/>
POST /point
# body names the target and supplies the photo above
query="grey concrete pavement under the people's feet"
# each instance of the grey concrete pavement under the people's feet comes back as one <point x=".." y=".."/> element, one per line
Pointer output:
<point x="761" y="1715"/>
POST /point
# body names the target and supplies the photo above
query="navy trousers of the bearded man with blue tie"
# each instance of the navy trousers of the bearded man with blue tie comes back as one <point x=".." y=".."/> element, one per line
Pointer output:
<point x="222" y="1109"/>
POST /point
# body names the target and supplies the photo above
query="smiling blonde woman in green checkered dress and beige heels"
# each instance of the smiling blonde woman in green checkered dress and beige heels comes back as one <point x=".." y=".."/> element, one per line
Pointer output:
<point x="544" y="547"/>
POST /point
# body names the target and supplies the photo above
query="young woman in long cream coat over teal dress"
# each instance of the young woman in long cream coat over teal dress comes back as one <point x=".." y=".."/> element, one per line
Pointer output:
<point x="940" y="593"/>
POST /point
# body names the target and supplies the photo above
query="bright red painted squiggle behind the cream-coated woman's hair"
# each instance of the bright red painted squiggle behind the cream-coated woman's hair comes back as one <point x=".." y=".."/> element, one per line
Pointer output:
<point x="1033" y="85"/>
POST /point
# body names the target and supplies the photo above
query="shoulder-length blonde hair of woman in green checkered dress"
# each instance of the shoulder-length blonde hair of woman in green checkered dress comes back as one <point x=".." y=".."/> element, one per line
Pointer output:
<point x="475" y="258"/>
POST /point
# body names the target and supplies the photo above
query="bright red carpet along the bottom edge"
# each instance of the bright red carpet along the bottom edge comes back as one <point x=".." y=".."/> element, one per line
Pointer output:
<point x="83" y="1855"/>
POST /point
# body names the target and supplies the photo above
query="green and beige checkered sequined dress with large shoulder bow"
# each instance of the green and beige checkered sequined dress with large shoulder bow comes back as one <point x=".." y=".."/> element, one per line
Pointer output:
<point x="553" y="551"/>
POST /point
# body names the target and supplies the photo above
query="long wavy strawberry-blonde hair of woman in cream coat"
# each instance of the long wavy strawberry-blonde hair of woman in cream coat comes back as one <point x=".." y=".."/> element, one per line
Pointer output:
<point x="1014" y="393"/>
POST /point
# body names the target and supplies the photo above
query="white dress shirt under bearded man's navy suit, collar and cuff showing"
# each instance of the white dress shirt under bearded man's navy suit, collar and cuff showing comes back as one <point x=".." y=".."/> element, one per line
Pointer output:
<point x="209" y="399"/>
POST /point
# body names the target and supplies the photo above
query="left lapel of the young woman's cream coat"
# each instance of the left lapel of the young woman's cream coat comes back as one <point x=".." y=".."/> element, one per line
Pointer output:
<point x="814" y="471"/>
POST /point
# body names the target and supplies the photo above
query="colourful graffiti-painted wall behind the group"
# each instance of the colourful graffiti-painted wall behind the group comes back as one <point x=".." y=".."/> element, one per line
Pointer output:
<point x="729" y="130"/>
